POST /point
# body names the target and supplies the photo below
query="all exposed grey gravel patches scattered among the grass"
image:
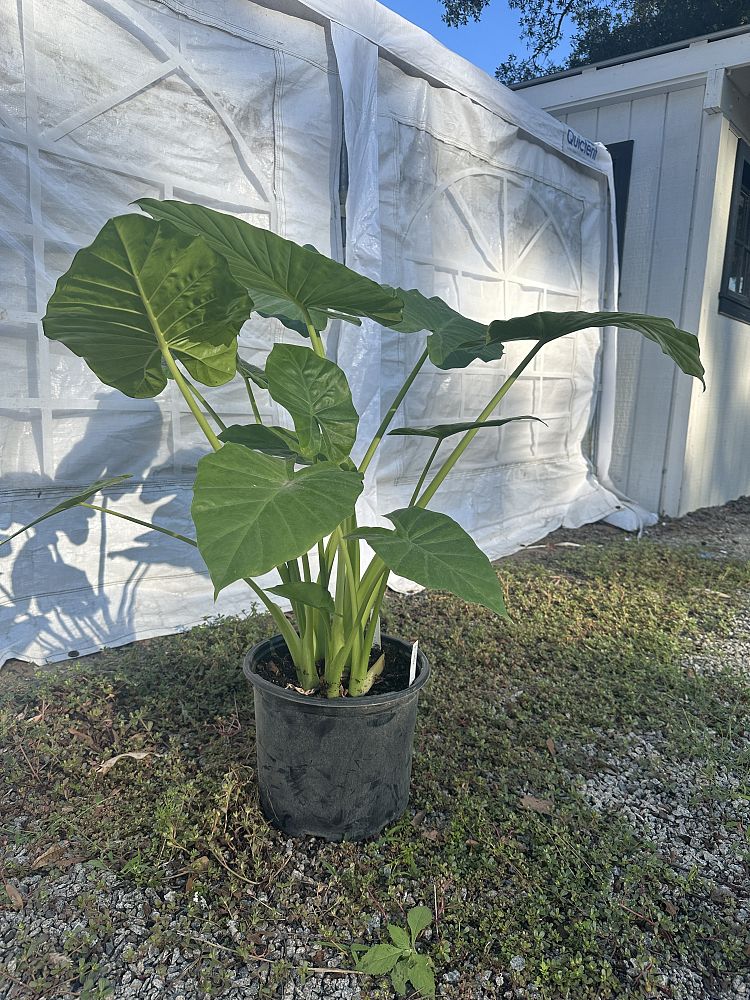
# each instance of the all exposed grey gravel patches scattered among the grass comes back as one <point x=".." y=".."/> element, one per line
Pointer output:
<point x="695" y="810"/>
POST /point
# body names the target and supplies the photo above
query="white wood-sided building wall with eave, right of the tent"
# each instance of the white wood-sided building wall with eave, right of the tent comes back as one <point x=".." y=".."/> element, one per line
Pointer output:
<point x="676" y="448"/>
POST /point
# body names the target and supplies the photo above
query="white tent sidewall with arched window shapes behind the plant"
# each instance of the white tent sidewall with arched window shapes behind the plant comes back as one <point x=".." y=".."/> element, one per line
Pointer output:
<point x="453" y="185"/>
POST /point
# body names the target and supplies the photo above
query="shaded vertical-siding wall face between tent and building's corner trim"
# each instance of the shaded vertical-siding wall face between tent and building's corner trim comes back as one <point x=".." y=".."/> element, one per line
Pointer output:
<point x="665" y="129"/>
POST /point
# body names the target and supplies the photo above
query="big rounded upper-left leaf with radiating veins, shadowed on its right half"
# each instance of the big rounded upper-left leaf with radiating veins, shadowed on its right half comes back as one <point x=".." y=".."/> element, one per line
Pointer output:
<point x="143" y="288"/>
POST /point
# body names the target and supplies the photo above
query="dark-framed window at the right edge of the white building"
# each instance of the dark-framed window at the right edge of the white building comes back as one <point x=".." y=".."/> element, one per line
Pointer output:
<point x="734" y="298"/>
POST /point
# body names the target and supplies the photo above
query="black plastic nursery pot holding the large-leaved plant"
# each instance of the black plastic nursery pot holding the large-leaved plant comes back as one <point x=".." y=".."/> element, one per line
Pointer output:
<point x="337" y="768"/>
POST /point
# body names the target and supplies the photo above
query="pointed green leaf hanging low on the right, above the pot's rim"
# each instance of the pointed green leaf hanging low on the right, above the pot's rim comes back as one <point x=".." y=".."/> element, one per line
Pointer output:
<point x="432" y="550"/>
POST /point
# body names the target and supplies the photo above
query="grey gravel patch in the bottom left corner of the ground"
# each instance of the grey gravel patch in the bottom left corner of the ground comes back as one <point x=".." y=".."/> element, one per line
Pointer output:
<point x="73" y="903"/>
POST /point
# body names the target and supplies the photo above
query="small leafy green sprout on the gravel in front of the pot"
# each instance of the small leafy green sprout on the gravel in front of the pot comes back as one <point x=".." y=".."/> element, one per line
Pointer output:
<point x="401" y="960"/>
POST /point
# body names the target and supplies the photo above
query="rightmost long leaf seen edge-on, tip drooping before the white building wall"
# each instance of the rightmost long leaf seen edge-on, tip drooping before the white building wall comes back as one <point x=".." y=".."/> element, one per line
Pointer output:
<point x="677" y="344"/>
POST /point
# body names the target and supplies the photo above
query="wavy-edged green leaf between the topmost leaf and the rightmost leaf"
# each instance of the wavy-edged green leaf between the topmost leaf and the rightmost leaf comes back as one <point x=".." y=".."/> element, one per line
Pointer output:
<point x="455" y="341"/>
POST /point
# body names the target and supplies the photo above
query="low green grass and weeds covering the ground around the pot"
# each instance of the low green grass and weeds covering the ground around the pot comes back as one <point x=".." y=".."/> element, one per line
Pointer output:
<point x="595" y="647"/>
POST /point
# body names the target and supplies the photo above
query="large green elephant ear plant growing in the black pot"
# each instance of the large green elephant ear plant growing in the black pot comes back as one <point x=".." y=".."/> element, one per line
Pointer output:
<point x="162" y="296"/>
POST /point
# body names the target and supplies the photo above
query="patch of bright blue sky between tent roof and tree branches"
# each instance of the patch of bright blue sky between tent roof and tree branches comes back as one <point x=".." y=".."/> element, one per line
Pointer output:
<point x="485" y="44"/>
